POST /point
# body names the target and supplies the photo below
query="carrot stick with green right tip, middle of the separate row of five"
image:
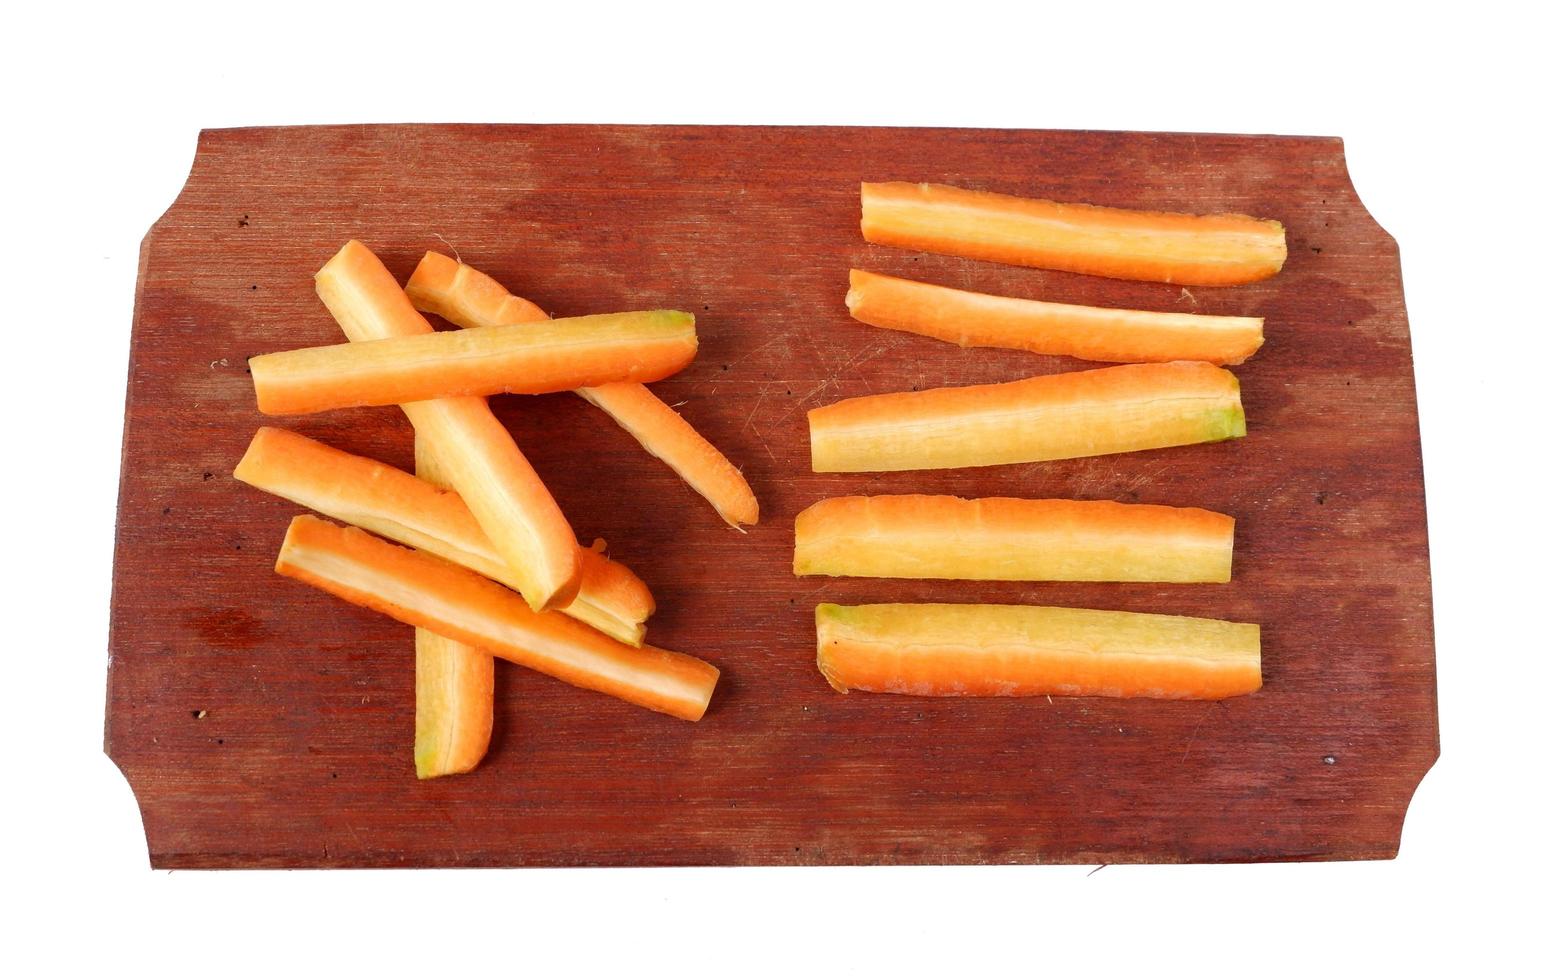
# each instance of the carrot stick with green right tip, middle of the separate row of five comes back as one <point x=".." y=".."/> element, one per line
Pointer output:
<point x="1051" y="417"/>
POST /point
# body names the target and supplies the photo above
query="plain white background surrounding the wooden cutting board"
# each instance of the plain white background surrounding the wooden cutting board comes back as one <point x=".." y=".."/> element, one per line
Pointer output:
<point x="1440" y="115"/>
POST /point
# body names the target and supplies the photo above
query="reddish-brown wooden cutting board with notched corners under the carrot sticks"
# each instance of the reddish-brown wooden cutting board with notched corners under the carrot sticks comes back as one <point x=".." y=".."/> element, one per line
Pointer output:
<point x="265" y="725"/>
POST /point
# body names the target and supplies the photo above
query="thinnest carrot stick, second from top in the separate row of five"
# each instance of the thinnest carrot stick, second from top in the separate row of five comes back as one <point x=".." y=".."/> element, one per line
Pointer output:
<point x="1094" y="334"/>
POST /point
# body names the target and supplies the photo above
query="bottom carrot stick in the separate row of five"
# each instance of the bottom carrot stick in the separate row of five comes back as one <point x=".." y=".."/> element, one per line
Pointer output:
<point x="1018" y="651"/>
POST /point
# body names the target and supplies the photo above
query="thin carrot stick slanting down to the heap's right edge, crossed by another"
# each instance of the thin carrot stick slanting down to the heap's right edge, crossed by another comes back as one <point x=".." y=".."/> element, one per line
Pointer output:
<point x="470" y="299"/>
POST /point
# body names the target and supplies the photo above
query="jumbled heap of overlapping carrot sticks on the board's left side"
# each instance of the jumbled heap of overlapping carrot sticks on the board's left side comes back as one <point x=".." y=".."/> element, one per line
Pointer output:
<point x="486" y="564"/>
